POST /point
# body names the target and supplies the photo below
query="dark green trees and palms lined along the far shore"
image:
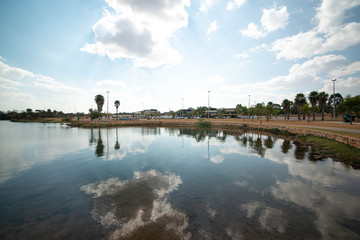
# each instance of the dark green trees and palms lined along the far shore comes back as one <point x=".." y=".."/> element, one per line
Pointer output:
<point x="315" y="102"/>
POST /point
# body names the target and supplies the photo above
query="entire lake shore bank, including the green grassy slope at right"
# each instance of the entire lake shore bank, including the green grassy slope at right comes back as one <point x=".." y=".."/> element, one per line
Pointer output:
<point x="327" y="144"/>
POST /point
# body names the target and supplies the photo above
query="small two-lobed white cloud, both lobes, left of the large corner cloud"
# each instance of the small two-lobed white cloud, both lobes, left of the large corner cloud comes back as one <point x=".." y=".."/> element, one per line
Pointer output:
<point x="271" y="20"/>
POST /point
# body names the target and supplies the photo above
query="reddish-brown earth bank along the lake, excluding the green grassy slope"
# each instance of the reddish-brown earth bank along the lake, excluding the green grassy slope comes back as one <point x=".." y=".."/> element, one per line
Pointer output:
<point x="347" y="134"/>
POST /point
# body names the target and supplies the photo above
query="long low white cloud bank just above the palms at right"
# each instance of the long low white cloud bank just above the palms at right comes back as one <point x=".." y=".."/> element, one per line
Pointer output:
<point x="310" y="73"/>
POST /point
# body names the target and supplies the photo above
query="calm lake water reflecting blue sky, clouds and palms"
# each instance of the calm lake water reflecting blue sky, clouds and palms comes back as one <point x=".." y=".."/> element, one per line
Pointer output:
<point x="158" y="183"/>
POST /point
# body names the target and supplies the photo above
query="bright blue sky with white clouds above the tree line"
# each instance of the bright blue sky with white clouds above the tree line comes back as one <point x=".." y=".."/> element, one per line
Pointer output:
<point x="166" y="55"/>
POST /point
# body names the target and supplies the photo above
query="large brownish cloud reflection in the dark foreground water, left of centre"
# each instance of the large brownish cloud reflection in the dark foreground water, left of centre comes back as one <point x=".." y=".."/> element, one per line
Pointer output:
<point x="138" y="206"/>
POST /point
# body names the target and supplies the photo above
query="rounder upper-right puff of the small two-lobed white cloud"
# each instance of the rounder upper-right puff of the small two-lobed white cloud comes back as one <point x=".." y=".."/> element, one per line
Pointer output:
<point x="274" y="18"/>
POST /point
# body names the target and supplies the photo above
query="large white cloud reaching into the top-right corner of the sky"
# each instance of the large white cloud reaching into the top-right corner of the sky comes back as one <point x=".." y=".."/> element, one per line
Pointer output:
<point x="329" y="35"/>
